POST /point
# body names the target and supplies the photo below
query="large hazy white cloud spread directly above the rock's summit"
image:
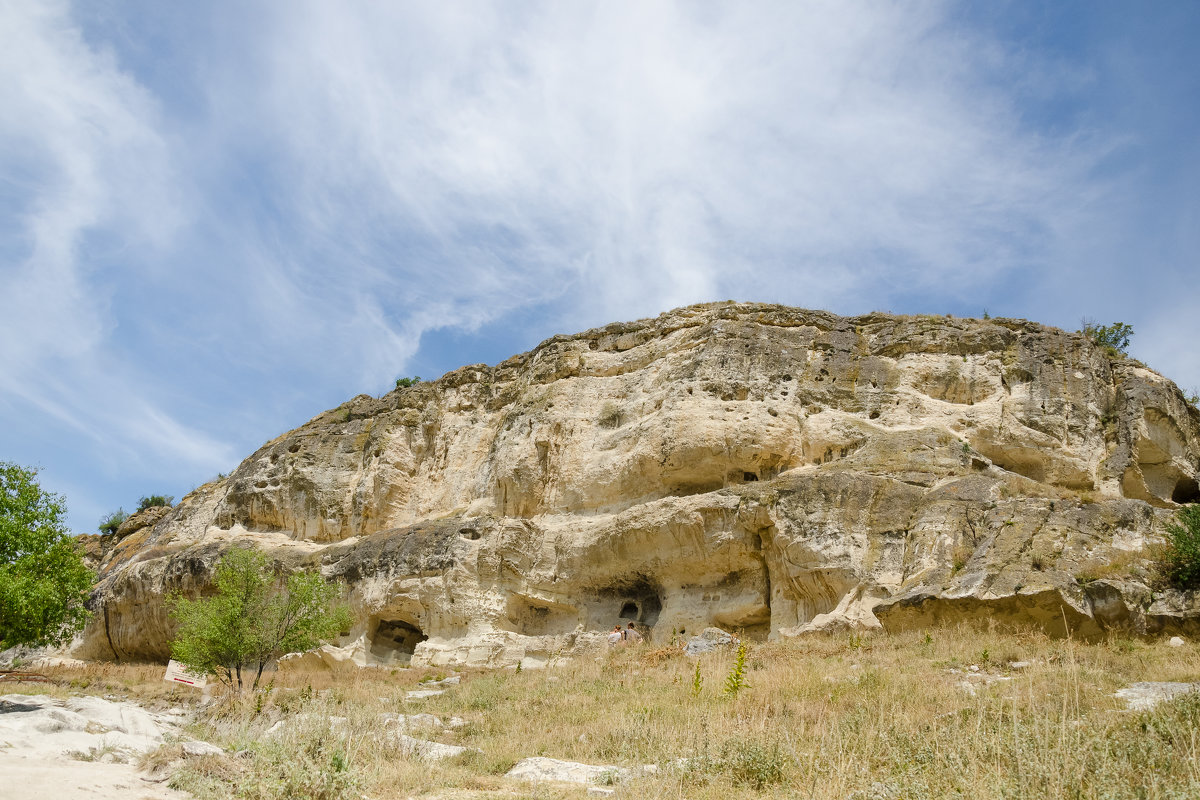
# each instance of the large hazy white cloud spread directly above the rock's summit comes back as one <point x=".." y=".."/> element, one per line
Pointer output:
<point x="629" y="158"/>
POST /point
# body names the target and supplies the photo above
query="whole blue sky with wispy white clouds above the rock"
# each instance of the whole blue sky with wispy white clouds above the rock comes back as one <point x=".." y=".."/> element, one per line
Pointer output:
<point x="219" y="220"/>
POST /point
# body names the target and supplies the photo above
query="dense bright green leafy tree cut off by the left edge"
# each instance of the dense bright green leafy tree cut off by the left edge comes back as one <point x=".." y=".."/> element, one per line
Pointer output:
<point x="44" y="582"/>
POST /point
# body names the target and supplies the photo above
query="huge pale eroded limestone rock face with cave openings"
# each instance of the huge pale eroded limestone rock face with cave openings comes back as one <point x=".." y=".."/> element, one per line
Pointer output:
<point x="757" y="468"/>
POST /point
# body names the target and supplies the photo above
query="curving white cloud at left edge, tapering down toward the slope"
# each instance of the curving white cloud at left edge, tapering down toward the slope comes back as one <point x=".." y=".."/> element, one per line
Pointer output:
<point x="93" y="195"/>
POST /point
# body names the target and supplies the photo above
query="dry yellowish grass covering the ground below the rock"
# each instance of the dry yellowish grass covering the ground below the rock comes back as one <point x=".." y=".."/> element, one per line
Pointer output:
<point x="844" y="717"/>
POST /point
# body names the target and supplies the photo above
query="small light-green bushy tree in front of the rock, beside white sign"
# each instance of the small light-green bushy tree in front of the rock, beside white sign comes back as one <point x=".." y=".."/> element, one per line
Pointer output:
<point x="253" y="618"/>
